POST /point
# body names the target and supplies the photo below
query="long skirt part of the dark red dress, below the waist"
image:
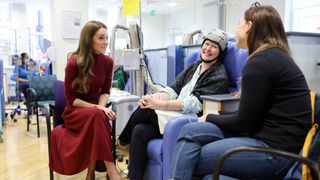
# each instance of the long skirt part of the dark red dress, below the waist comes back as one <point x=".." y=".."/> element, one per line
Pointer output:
<point x="84" y="138"/>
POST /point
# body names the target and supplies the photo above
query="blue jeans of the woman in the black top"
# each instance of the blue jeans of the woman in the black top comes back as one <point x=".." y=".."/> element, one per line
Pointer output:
<point x="201" y="144"/>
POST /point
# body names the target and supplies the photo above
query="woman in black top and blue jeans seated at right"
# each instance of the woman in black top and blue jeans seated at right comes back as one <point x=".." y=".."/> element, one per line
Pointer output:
<point x="274" y="109"/>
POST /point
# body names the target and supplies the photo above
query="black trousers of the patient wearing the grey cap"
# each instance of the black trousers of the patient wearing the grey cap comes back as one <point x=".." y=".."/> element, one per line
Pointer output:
<point x="140" y="129"/>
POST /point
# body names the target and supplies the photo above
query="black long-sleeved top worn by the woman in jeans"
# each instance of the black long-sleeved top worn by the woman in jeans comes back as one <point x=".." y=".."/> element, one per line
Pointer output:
<point x="275" y="103"/>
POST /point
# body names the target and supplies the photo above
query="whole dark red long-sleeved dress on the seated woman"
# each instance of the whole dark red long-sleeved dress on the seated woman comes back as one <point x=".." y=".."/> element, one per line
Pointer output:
<point x="86" y="134"/>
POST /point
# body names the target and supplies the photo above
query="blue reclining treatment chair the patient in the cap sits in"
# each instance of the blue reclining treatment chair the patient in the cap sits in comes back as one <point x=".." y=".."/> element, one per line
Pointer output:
<point x="160" y="150"/>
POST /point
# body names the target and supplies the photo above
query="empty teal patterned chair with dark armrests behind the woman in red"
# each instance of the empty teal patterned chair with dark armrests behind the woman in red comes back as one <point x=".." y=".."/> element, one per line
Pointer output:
<point x="40" y="95"/>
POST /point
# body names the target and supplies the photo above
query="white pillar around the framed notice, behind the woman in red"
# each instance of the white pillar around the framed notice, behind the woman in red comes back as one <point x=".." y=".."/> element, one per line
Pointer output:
<point x="63" y="46"/>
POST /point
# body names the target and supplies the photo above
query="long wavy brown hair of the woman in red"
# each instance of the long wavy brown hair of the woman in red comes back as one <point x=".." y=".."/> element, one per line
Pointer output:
<point x="84" y="55"/>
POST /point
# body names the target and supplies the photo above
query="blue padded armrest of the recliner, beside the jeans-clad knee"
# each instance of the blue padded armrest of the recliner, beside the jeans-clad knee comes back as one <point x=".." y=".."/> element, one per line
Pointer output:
<point x="170" y="136"/>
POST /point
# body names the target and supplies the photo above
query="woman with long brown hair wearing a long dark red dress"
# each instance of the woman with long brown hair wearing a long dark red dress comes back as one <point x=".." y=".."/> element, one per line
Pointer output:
<point x="85" y="139"/>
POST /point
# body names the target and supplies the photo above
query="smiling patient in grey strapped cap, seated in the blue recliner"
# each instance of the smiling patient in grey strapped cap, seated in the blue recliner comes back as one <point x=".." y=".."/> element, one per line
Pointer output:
<point x="203" y="77"/>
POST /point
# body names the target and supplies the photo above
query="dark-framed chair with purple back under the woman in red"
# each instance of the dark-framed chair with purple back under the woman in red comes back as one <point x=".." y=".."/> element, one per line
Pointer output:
<point x="56" y="108"/>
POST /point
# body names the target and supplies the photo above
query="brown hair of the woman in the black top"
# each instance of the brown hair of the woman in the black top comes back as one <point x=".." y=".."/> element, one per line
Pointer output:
<point x="267" y="29"/>
